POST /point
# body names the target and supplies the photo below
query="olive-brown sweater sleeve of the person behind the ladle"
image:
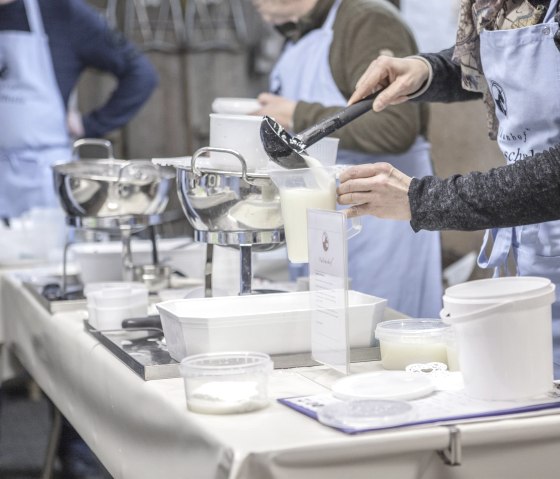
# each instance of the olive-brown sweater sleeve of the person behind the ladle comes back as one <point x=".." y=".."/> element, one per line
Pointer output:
<point x="362" y="30"/>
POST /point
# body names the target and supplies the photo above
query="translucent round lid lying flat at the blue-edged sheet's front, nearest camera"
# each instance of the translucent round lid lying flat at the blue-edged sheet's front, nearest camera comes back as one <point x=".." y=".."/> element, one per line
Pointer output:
<point x="365" y="414"/>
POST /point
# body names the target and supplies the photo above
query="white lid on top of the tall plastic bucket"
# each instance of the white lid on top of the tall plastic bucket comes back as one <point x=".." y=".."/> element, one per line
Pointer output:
<point x="498" y="289"/>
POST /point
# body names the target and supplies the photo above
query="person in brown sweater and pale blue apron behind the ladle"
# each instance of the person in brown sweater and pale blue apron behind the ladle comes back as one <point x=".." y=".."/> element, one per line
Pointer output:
<point x="329" y="45"/>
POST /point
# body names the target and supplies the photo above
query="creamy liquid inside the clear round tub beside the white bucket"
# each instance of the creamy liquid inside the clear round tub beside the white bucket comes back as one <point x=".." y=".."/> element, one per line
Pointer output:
<point x="399" y="355"/>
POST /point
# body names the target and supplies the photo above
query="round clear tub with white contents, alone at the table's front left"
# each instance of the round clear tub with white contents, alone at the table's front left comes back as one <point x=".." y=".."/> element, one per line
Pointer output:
<point x="226" y="383"/>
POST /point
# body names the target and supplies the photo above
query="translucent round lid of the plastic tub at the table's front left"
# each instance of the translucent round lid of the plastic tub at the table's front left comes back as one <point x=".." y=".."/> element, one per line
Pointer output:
<point x="225" y="364"/>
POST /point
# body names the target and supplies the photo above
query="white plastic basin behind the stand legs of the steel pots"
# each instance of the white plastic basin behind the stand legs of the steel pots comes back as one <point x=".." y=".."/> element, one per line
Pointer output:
<point x="101" y="261"/>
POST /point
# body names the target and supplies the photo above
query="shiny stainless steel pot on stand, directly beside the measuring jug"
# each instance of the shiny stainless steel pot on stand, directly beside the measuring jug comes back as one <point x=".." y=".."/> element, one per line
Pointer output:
<point x="232" y="204"/>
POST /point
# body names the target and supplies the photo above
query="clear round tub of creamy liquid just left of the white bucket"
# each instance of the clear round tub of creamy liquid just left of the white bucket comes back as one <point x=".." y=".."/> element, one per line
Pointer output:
<point x="407" y="341"/>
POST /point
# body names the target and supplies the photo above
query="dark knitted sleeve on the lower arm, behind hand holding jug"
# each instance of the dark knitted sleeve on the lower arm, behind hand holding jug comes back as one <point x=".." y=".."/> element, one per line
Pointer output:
<point x="525" y="192"/>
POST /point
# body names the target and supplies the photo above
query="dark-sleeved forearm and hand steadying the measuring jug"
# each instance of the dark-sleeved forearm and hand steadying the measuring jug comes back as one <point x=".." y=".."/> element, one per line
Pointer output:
<point x="525" y="192"/>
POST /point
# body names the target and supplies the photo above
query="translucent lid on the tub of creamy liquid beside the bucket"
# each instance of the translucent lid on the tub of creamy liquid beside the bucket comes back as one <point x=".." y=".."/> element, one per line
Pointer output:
<point x="411" y="330"/>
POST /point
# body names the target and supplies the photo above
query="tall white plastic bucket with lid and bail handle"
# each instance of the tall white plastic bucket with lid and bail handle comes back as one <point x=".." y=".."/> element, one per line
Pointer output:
<point x="503" y="330"/>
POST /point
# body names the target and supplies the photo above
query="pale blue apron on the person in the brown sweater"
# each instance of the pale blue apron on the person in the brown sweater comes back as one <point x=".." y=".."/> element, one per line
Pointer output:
<point x="387" y="259"/>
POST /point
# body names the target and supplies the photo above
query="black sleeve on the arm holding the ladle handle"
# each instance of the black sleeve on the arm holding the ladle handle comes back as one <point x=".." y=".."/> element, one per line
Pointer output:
<point x="446" y="83"/>
